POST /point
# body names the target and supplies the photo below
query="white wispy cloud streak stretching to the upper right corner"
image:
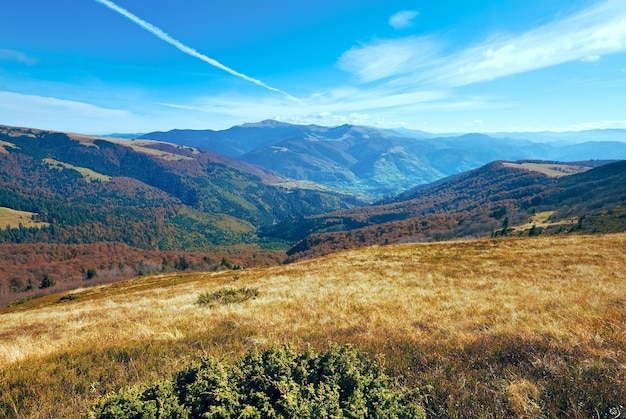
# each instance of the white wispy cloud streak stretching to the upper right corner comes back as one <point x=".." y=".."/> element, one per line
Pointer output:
<point x="587" y="35"/>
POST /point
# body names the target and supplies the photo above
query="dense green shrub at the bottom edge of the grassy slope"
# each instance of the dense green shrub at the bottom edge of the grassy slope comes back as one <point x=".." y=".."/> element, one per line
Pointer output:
<point x="277" y="383"/>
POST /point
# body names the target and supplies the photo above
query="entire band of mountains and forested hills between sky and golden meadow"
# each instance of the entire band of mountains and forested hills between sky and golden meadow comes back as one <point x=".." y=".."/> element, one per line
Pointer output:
<point x="279" y="192"/>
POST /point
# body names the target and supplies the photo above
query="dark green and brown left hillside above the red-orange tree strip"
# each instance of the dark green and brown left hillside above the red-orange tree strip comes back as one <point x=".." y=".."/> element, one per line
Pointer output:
<point x="142" y="193"/>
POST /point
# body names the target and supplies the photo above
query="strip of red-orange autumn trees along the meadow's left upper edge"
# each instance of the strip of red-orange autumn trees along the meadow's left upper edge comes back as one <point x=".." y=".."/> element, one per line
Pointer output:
<point x="22" y="266"/>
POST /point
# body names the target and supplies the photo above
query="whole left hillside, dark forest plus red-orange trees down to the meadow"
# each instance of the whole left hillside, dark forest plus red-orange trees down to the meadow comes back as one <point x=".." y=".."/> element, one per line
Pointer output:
<point x="145" y="197"/>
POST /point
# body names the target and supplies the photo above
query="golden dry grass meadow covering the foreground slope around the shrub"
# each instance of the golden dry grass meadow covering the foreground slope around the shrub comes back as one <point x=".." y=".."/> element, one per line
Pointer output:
<point x="532" y="327"/>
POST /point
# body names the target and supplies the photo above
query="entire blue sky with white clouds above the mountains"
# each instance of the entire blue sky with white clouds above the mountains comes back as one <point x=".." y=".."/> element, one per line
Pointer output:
<point x="102" y="66"/>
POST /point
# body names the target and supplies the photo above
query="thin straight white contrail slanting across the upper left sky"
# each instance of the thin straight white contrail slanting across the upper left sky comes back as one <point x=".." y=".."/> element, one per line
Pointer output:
<point x="187" y="50"/>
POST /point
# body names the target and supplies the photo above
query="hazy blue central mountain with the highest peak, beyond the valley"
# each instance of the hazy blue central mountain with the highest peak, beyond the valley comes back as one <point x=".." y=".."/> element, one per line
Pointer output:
<point x="356" y="159"/>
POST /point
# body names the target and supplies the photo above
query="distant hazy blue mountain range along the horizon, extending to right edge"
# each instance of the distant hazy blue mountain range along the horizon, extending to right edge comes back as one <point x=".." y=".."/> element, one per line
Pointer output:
<point x="374" y="163"/>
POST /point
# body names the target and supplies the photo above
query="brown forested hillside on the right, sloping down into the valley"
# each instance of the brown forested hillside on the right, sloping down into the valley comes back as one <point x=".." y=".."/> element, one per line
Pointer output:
<point x="481" y="202"/>
